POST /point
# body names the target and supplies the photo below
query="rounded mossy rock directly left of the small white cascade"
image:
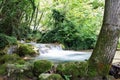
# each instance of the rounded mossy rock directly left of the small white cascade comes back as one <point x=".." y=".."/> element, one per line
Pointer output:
<point x="25" y="49"/>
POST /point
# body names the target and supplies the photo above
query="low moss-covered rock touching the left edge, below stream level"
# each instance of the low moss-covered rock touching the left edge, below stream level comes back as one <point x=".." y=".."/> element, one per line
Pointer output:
<point x="9" y="58"/>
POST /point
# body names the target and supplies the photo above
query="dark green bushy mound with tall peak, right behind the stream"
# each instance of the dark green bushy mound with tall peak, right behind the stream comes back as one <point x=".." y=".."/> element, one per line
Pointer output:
<point x="65" y="32"/>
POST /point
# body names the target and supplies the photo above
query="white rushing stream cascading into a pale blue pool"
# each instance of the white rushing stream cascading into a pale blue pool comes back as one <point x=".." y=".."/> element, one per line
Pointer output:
<point x="55" y="53"/>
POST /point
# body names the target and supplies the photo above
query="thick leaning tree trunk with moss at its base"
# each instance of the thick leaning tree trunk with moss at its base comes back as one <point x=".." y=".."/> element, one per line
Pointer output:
<point x="104" y="51"/>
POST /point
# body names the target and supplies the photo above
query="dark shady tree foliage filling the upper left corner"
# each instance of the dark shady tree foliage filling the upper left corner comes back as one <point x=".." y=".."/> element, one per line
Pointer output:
<point x="16" y="17"/>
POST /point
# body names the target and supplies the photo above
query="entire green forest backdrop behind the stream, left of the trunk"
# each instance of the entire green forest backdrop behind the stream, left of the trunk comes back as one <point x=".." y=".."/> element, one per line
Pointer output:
<point x="74" y="24"/>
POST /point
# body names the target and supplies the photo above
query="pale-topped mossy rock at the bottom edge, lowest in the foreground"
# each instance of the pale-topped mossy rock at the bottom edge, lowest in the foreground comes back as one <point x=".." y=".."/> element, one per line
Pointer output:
<point x="50" y="77"/>
